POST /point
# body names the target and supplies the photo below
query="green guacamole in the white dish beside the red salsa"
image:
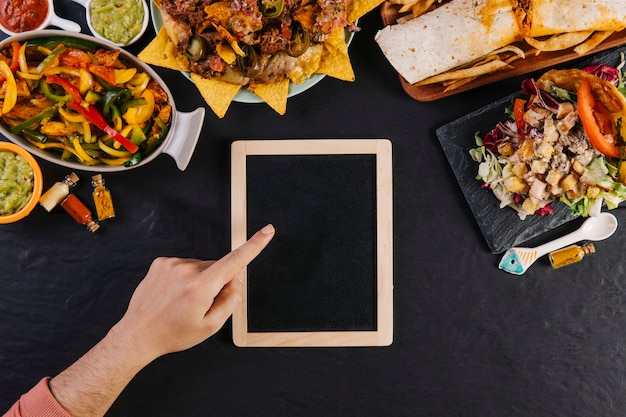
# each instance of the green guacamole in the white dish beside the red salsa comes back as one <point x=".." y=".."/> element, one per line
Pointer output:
<point x="117" y="20"/>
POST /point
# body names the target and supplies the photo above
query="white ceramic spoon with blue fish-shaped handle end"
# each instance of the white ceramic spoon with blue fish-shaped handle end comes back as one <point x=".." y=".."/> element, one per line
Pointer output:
<point x="518" y="259"/>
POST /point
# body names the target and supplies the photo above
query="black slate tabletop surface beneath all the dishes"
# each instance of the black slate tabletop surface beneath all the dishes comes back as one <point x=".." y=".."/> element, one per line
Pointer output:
<point x="469" y="340"/>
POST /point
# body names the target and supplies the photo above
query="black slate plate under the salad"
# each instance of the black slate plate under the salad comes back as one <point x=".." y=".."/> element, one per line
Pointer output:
<point x="501" y="228"/>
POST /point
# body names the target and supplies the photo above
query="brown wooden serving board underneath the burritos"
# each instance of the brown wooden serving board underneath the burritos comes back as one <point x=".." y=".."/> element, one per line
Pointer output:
<point x="390" y="12"/>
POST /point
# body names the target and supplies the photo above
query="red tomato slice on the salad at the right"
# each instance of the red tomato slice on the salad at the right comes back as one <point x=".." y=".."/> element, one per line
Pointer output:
<point x="597" y="121"/>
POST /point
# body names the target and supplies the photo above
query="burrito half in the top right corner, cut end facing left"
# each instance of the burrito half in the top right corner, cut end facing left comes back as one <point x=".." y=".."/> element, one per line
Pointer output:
<point x="549" y="17"/>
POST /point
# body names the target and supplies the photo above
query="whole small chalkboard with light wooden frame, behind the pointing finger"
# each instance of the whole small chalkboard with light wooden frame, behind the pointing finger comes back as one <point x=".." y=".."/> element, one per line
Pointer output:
<point x="331" y="203"/>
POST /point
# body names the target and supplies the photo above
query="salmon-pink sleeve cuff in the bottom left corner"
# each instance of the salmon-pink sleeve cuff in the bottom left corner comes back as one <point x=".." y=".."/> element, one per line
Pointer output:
<point x="38" y="402"/>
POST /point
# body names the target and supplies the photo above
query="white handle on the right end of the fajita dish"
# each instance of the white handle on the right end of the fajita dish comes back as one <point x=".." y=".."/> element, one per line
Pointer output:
<point x="186" y="131"/>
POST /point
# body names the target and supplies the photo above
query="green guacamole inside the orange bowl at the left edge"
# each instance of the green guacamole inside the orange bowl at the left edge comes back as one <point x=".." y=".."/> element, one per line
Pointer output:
<point x="16" y="182"/>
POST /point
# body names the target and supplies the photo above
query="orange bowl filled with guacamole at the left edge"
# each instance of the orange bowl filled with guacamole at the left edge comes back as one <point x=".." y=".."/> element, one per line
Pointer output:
<point x="21" y="182"/>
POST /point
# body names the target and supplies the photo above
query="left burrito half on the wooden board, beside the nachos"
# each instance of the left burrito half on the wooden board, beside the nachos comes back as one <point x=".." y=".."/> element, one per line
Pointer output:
<point x="451" y="35"/>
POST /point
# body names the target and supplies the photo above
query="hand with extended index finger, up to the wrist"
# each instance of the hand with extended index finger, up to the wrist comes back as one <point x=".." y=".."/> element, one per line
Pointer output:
<point x="182" y="302"/>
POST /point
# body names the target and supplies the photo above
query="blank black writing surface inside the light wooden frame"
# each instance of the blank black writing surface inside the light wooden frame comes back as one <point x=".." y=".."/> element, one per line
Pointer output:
<point x="324" y="211"/>
